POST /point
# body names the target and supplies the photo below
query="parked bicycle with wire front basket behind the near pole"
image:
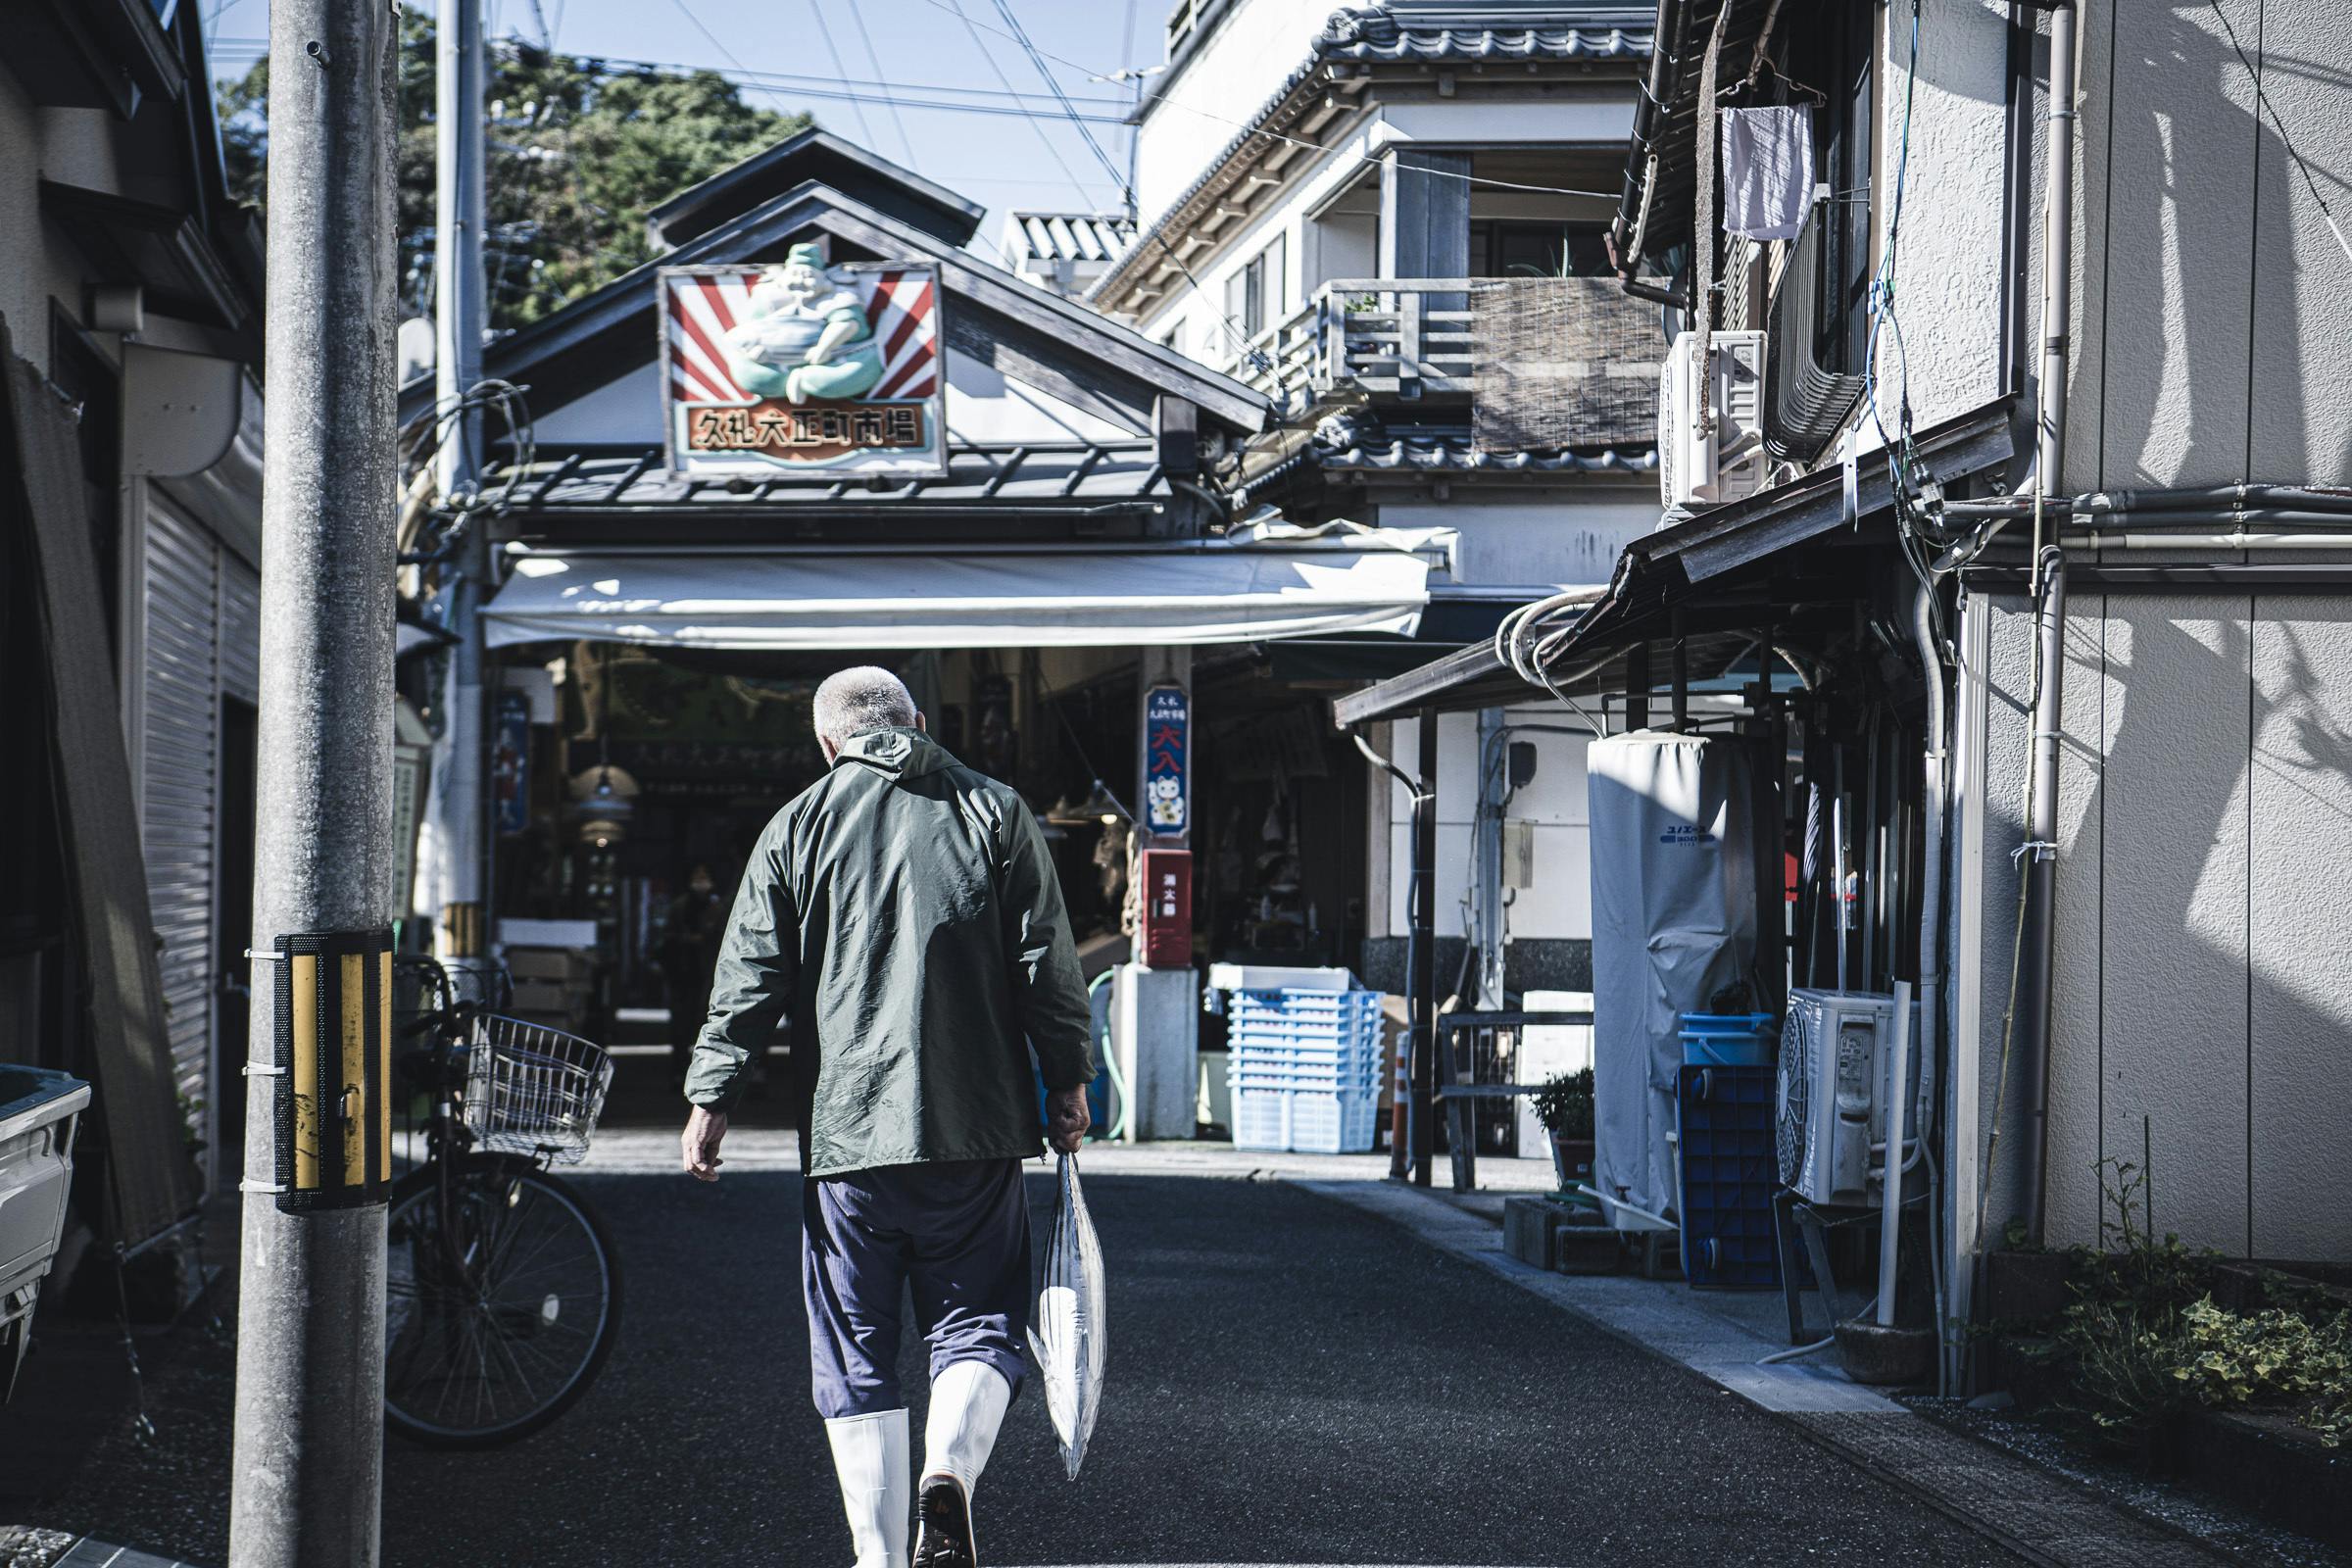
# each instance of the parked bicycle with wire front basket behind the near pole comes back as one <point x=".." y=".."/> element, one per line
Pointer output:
<point x="505" y="1292"/>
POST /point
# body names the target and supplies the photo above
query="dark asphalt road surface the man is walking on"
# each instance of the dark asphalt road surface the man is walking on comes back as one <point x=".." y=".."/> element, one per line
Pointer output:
<point x="1290" y="1383"/>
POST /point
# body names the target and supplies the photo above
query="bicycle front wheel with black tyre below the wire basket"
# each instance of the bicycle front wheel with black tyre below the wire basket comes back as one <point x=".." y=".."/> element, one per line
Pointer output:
<point x="497" y="1329"/>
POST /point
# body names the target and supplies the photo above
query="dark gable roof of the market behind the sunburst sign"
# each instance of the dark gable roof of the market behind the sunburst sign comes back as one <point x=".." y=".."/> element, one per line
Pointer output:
<point x="1001" y="321"/>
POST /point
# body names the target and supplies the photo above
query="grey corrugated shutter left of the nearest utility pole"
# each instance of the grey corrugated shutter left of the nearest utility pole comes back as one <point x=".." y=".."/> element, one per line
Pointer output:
<point x="180" y="779"/>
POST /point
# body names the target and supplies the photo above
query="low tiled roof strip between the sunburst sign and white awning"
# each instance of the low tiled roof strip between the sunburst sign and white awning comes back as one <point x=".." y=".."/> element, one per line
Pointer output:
<point x="987" y="476"/>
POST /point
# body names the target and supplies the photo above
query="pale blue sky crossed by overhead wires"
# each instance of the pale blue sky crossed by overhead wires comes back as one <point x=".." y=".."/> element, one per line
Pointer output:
<point x="923" y="53"/>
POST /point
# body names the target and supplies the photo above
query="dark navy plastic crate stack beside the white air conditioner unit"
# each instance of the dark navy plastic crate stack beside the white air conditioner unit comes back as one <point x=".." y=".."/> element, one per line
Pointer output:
<point x="1730" y="1174"/>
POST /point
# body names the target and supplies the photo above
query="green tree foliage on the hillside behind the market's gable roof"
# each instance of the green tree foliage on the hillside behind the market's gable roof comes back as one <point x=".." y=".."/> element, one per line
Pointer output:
<point x="577" y="152"/>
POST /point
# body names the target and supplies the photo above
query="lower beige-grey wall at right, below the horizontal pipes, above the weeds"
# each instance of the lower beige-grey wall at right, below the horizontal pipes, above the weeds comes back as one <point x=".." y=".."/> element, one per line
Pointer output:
<point x="2205" y="883"/>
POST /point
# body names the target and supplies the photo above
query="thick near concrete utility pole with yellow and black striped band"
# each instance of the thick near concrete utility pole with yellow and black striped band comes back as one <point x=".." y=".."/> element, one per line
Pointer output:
<point x="309" y="1419"/>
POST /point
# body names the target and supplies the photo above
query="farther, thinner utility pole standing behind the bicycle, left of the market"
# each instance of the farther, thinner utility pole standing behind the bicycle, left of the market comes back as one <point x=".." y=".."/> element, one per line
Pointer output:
<point x="460" y="803"/>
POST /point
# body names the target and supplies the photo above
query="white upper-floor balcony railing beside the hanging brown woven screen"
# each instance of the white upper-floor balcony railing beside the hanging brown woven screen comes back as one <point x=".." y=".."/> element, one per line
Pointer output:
<point x="1403" y="337"/>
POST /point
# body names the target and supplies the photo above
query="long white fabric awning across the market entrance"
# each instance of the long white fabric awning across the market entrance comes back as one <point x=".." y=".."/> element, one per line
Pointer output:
<point x="1008" y="598"/>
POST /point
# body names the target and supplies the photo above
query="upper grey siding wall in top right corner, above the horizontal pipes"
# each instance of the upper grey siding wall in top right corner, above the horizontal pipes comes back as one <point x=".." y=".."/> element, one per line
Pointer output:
<point x="2212" y="300"/>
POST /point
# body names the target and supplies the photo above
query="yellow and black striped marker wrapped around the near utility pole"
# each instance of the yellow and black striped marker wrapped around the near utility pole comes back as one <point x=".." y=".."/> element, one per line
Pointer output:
<point x="335" y="1071"/>
